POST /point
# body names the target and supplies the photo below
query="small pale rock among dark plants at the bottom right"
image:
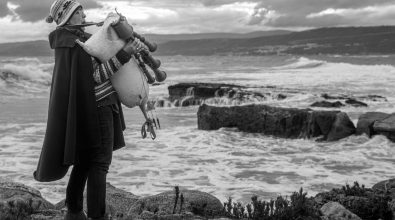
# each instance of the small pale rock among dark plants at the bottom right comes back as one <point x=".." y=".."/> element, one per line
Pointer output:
<point x="335" y="211"/>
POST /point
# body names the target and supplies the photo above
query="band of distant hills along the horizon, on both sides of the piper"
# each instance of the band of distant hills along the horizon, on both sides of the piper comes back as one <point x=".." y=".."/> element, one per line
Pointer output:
<point x="333" y="40"/>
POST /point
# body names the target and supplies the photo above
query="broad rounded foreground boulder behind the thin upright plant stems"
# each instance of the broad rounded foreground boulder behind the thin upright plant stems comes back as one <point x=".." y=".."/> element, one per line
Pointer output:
<point x="196" y="202"/>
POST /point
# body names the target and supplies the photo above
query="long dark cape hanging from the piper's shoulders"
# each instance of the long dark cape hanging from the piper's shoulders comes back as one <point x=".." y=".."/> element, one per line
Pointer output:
<point x="72" y="115"/>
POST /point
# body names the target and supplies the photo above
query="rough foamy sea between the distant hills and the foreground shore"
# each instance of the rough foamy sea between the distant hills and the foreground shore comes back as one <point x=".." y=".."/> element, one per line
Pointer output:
<point x="225" y="162"/>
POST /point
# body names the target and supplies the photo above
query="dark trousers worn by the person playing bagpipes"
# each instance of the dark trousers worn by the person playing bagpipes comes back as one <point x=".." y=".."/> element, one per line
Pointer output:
<point x="92" y="166"/>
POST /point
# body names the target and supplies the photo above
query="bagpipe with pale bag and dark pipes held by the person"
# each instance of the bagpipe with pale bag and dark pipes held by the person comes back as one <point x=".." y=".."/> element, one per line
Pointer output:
<point x="132" y="80"/>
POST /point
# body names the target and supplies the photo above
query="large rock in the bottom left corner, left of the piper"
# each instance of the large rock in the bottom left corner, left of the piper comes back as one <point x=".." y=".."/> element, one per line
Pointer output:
<point x="18" y="201"/>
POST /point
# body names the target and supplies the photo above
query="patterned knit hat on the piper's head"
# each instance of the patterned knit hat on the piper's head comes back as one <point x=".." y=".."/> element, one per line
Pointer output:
<point x="61" y="11"/>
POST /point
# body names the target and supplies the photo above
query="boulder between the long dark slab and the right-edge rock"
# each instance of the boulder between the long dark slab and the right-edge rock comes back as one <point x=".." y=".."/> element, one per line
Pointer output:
<point x="366" y="121"/>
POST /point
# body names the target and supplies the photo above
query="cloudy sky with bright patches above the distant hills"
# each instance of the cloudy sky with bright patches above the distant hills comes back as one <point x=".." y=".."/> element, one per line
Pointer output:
<point x="22" y="20"/>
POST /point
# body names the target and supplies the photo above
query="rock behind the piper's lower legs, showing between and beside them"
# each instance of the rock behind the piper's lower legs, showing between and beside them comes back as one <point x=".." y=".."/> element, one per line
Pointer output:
<point x="118" y="201"/>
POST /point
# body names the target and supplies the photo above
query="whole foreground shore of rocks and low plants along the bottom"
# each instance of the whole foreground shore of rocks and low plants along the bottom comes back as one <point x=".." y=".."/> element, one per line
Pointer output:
<point x="19" y="202"/>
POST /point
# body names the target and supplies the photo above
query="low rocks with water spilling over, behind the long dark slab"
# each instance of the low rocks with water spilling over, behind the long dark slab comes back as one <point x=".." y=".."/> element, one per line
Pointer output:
<point x="189" y="94"/>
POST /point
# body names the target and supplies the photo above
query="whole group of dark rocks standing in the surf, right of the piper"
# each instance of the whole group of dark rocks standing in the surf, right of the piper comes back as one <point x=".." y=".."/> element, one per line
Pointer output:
<point x="228" y="105"/>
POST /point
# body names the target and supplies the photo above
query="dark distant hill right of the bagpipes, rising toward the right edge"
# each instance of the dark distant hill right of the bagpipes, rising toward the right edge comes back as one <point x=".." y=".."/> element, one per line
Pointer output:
<point x="334" y="40"/>
